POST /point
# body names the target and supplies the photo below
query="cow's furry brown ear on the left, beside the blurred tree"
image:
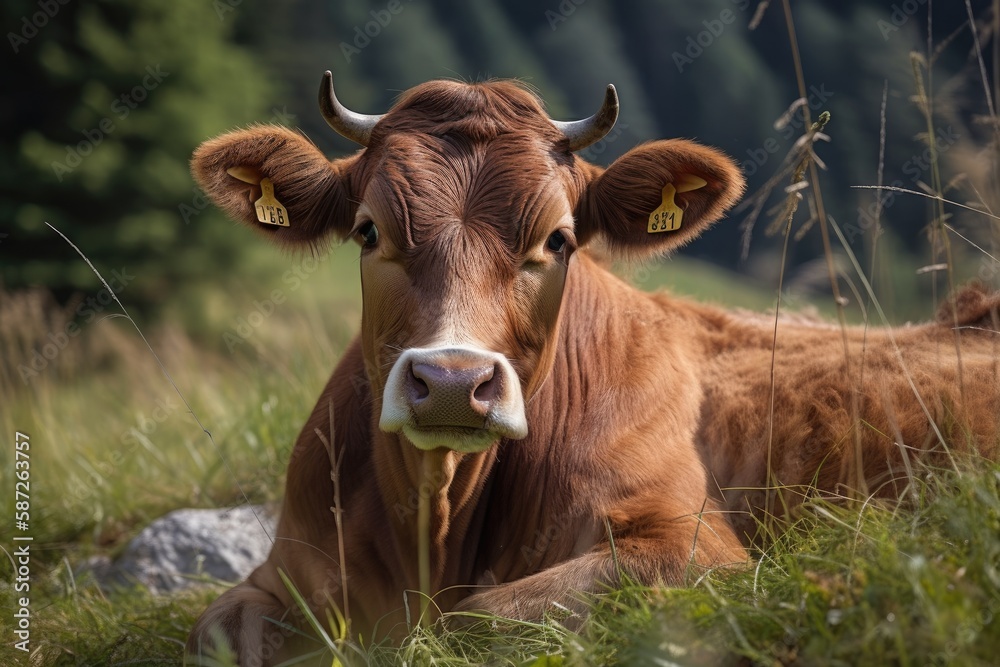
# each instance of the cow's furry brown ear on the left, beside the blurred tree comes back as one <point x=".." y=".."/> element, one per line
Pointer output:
<point x="312" y="190"/>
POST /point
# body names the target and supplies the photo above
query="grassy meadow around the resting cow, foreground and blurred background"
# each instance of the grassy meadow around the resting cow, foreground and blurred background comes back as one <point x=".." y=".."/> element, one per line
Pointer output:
<point x="205" y="415"/>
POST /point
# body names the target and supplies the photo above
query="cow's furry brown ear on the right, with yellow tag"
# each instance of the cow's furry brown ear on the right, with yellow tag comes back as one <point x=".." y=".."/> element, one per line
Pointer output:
<point x="657" y="197"/>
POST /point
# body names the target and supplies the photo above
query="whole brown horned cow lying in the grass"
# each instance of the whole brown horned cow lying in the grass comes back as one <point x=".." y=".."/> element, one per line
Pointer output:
<point x="545" y="400"/>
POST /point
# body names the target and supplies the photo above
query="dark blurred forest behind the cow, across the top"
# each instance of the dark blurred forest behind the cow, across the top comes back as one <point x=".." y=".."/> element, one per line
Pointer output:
<point x="105" y="101"/>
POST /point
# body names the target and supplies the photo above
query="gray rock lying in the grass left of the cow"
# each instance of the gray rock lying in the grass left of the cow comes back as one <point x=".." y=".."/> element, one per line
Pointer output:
<point x="178" y="549"/>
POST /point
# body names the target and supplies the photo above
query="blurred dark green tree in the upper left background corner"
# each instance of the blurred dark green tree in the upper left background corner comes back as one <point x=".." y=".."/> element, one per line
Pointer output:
<point x="105" y="102"/>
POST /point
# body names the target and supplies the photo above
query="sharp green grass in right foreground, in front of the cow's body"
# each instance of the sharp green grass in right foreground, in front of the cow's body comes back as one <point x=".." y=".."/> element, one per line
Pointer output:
<point x="861" y="585"/>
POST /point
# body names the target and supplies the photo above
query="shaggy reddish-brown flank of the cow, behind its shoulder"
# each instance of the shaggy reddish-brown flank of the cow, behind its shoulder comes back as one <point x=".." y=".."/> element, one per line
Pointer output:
<point x="852" y="410"/>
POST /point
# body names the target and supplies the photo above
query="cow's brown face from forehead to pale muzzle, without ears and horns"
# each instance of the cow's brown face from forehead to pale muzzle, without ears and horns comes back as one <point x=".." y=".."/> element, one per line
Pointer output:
<point x="464" y="253"/>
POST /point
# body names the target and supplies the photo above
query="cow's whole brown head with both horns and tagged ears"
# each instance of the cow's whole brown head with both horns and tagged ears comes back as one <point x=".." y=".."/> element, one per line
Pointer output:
<point x="468" y="206"/>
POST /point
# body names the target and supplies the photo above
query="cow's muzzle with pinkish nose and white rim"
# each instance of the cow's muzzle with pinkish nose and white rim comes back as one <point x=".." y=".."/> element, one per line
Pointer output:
<point x="460" y="398"/>
